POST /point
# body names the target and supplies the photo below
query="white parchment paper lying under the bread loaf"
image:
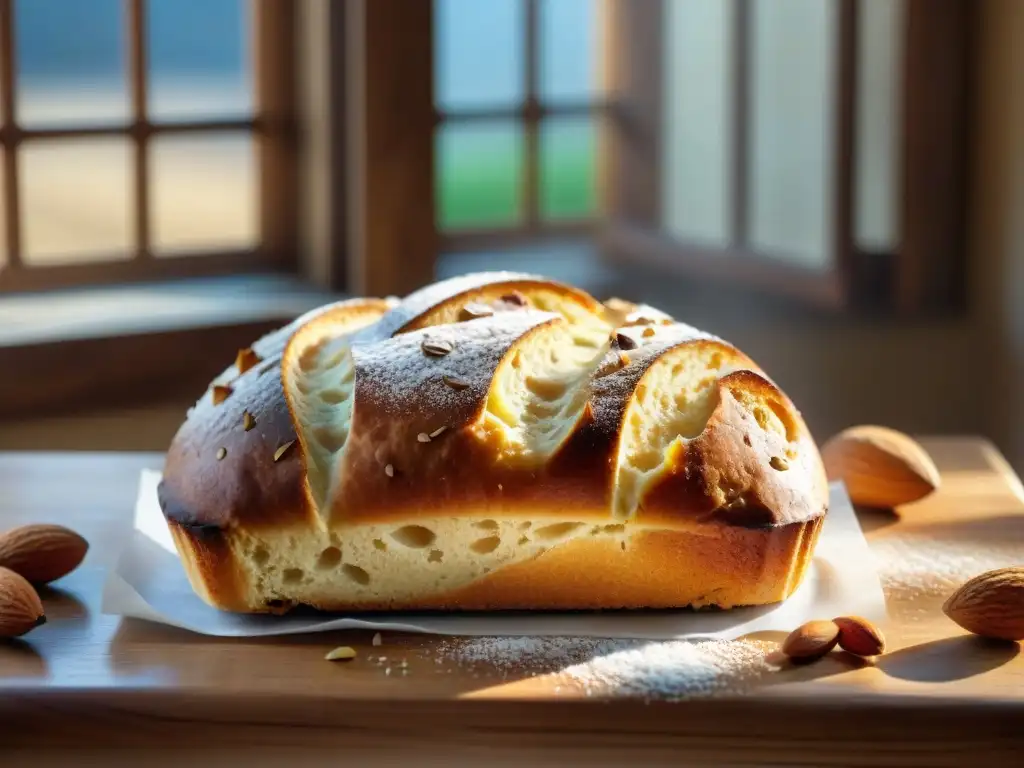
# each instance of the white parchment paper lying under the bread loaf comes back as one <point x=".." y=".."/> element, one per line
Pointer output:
<point x="149" y="583"/>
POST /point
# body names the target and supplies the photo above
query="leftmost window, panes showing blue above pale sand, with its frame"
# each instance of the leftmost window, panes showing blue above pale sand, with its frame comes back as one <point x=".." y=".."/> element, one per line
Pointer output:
<point x="145" y="139"/>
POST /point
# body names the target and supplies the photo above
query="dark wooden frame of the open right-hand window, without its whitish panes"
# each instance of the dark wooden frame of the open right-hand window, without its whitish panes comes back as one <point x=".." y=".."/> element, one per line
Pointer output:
<point x="923" y="275"/>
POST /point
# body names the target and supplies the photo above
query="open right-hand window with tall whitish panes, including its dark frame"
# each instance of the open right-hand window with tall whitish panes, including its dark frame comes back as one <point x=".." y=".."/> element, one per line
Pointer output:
<point x="814" y="148"/>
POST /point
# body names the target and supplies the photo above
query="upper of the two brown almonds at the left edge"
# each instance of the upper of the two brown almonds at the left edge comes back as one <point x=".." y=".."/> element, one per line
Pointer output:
<point x="42" y="553"/>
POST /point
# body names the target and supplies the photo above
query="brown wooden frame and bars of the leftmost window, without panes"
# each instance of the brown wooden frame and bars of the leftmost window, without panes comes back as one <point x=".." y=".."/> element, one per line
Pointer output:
<point x="273" y="129"/>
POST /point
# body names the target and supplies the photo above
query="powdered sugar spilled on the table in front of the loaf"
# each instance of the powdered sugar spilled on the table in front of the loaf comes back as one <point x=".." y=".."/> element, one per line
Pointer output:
<point x="675" y="669"/>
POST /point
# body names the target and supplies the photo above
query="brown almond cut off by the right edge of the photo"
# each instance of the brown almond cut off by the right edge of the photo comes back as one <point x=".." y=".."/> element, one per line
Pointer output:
<point x="992" y="605"/>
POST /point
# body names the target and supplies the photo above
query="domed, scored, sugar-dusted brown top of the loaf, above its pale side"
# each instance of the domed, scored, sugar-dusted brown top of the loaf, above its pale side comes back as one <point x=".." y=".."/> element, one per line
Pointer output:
<point x="498" y="396"/>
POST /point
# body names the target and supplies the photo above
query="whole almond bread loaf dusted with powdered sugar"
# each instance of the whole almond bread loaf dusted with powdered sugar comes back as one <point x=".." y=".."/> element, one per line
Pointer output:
<point x="493" y="442"/>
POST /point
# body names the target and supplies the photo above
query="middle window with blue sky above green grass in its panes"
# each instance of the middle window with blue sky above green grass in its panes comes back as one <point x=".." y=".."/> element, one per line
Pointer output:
<point x="519" y="113"/>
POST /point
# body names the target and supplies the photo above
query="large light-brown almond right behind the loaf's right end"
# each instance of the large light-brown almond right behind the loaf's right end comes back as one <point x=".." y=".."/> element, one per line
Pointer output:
<point x="880" y="466"/>
